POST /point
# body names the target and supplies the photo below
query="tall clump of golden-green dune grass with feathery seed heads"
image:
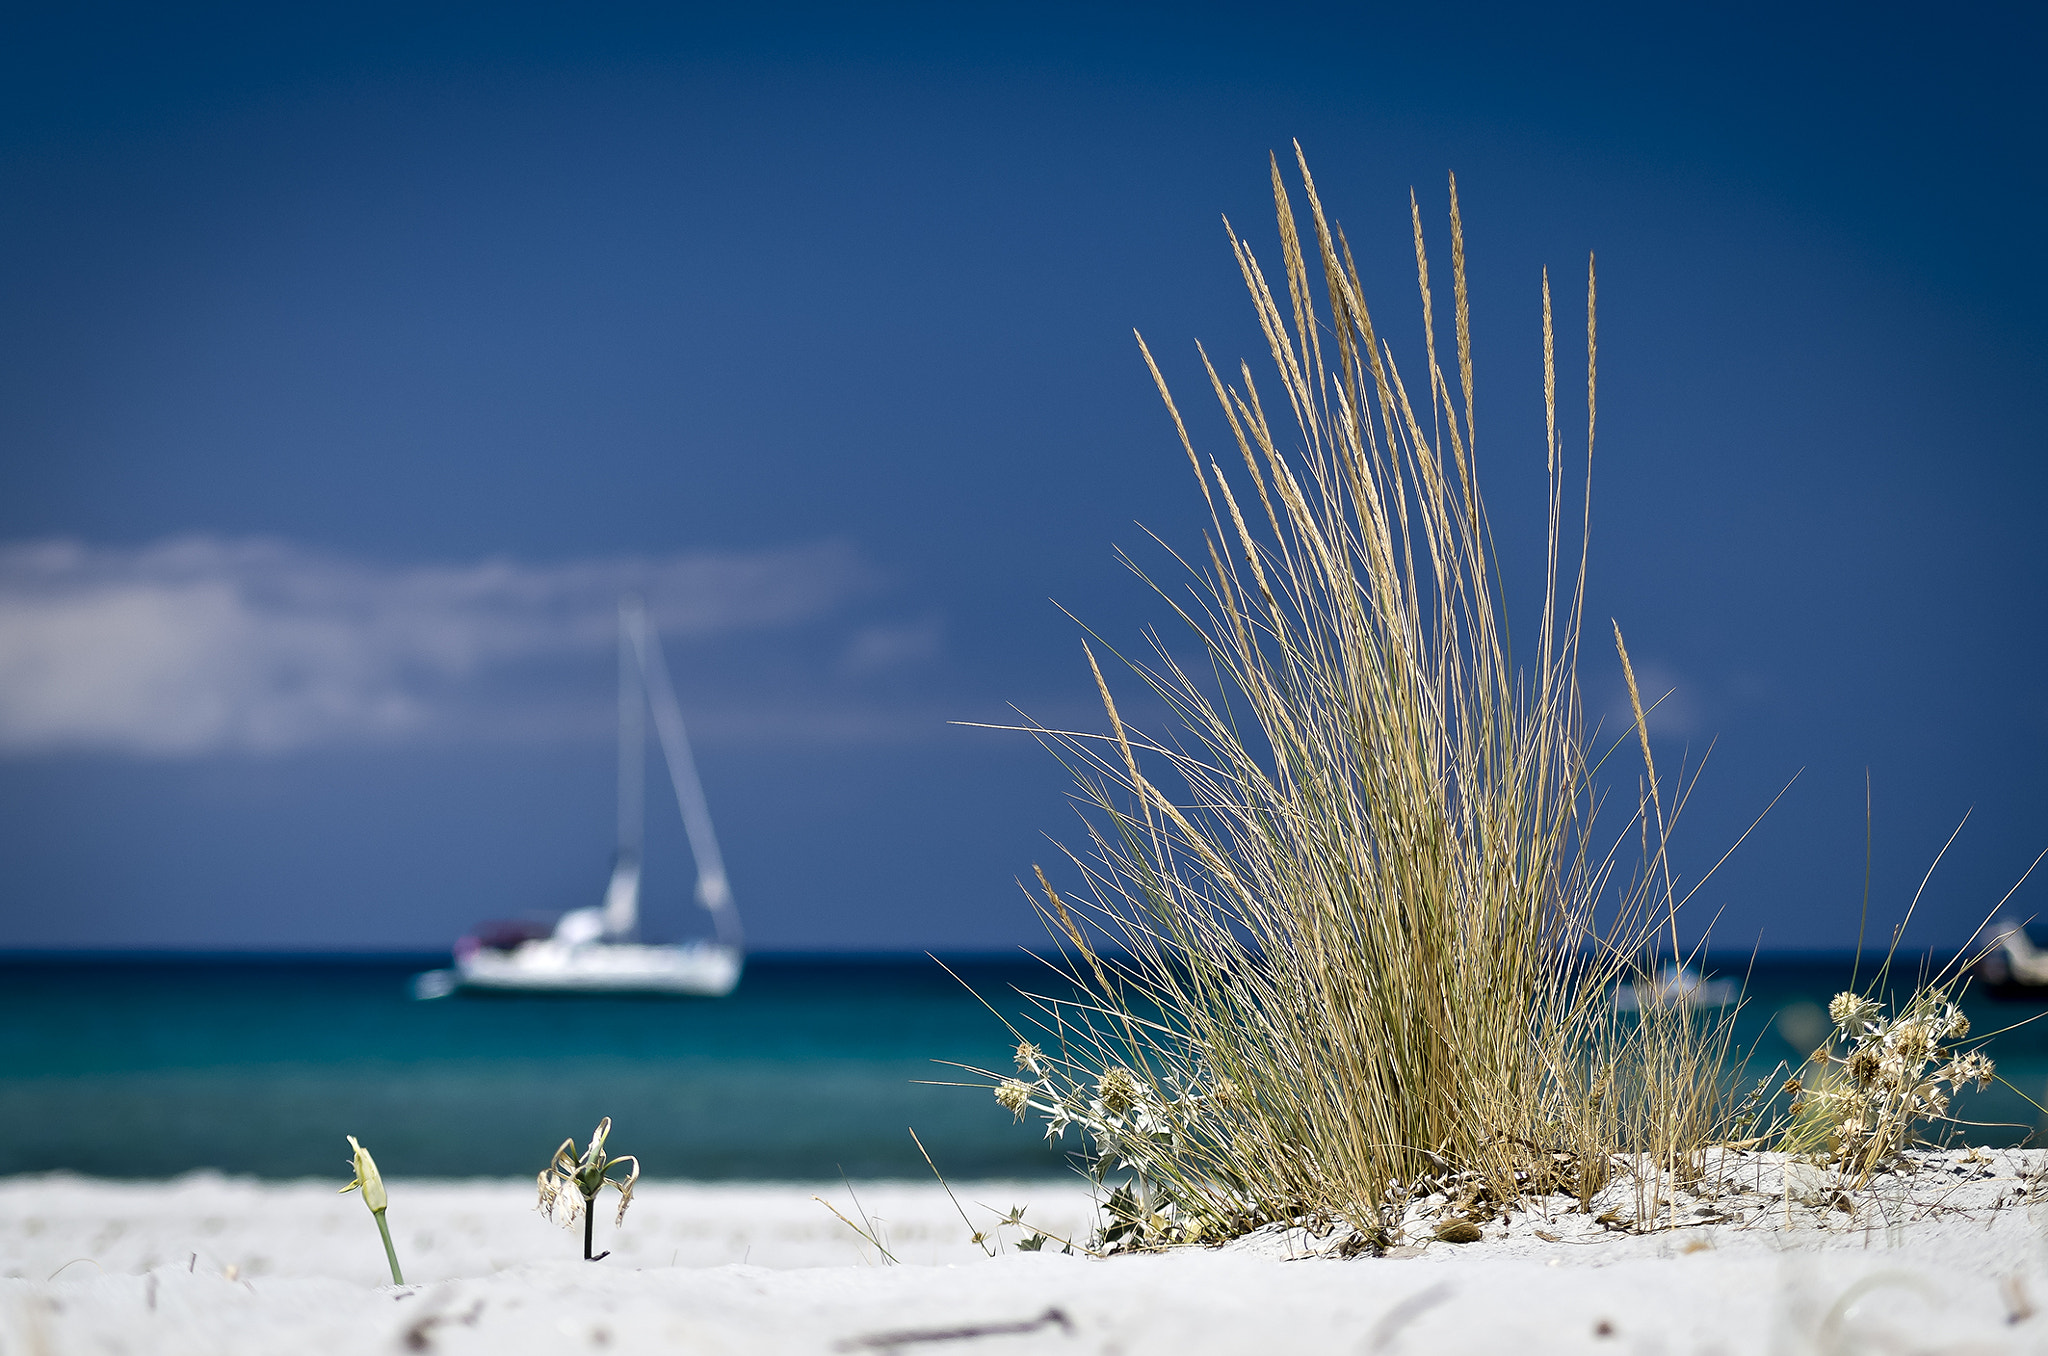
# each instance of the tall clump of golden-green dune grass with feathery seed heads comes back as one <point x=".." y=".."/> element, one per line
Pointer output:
<point x="1345" y="925"/>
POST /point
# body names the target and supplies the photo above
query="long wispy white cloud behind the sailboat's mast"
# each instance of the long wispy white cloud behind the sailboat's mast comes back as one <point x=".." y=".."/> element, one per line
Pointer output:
<point x="206" y="644"/>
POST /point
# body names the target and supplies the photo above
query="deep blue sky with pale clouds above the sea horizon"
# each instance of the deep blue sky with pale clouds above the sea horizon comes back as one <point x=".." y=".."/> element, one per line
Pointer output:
<point x="353" y="359"/>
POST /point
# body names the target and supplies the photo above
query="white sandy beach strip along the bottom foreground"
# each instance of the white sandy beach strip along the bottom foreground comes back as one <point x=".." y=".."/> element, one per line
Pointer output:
<point x="224" y="1267"/>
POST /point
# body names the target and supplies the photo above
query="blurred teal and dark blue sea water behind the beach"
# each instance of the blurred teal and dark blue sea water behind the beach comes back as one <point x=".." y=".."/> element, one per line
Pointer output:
<point x="144" y="1068"/>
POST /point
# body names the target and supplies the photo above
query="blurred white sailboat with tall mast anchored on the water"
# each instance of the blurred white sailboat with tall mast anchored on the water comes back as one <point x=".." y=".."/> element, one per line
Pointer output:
<point x="597" y="949"/>
